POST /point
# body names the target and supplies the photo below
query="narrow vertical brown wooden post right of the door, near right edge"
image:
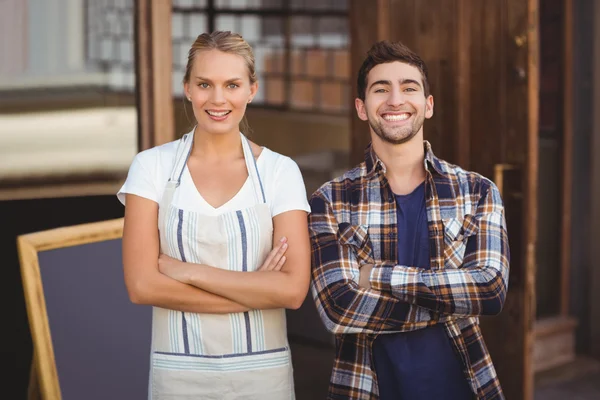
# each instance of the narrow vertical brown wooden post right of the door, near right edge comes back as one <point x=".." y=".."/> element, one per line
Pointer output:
<point x="567" y="160"/>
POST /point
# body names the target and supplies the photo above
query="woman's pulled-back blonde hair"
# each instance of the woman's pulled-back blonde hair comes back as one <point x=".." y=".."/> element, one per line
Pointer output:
<point x="227" y="42"/>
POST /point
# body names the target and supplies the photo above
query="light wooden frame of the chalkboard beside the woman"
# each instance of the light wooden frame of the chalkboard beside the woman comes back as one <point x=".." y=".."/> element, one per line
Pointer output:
<point x="44" y="376"/>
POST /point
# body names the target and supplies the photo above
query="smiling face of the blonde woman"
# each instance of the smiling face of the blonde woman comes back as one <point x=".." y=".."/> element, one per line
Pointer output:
<point x="219" y="89"/>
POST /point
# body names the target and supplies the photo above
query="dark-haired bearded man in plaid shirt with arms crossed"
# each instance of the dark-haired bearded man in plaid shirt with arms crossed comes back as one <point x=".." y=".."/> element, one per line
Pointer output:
<point x="408" y="251"/>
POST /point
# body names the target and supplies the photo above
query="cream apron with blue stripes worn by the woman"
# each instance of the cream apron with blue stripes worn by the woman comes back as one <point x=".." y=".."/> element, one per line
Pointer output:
<point x="219" y="356"/>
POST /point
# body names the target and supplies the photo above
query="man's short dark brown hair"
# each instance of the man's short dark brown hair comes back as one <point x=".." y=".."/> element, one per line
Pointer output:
<point x="385" y="52"/>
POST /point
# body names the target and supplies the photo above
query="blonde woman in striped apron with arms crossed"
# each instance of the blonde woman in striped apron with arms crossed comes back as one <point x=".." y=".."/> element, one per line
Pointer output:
<point x="218" y="282"/>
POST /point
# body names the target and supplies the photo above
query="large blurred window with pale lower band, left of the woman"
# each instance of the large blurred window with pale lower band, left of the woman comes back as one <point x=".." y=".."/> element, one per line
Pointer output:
<point x="74" y="75"/>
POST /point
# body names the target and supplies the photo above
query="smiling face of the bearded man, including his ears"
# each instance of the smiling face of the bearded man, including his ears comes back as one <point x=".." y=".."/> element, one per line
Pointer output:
<point x="395" y="105"/>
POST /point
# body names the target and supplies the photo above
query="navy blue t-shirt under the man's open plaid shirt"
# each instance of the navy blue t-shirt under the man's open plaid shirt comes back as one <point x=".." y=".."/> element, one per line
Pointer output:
<point x="420" y="364"/>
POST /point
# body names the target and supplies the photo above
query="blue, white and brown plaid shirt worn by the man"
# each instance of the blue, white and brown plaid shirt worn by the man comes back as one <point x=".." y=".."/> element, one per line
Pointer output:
<point x="353" y="221"/>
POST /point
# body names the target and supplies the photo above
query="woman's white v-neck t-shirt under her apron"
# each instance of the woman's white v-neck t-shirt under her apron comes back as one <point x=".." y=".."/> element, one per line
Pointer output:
<point x="281" y="179"/>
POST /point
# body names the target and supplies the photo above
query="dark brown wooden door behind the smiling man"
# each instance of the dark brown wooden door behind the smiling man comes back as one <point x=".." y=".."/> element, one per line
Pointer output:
<point x="483" y="70"/>
